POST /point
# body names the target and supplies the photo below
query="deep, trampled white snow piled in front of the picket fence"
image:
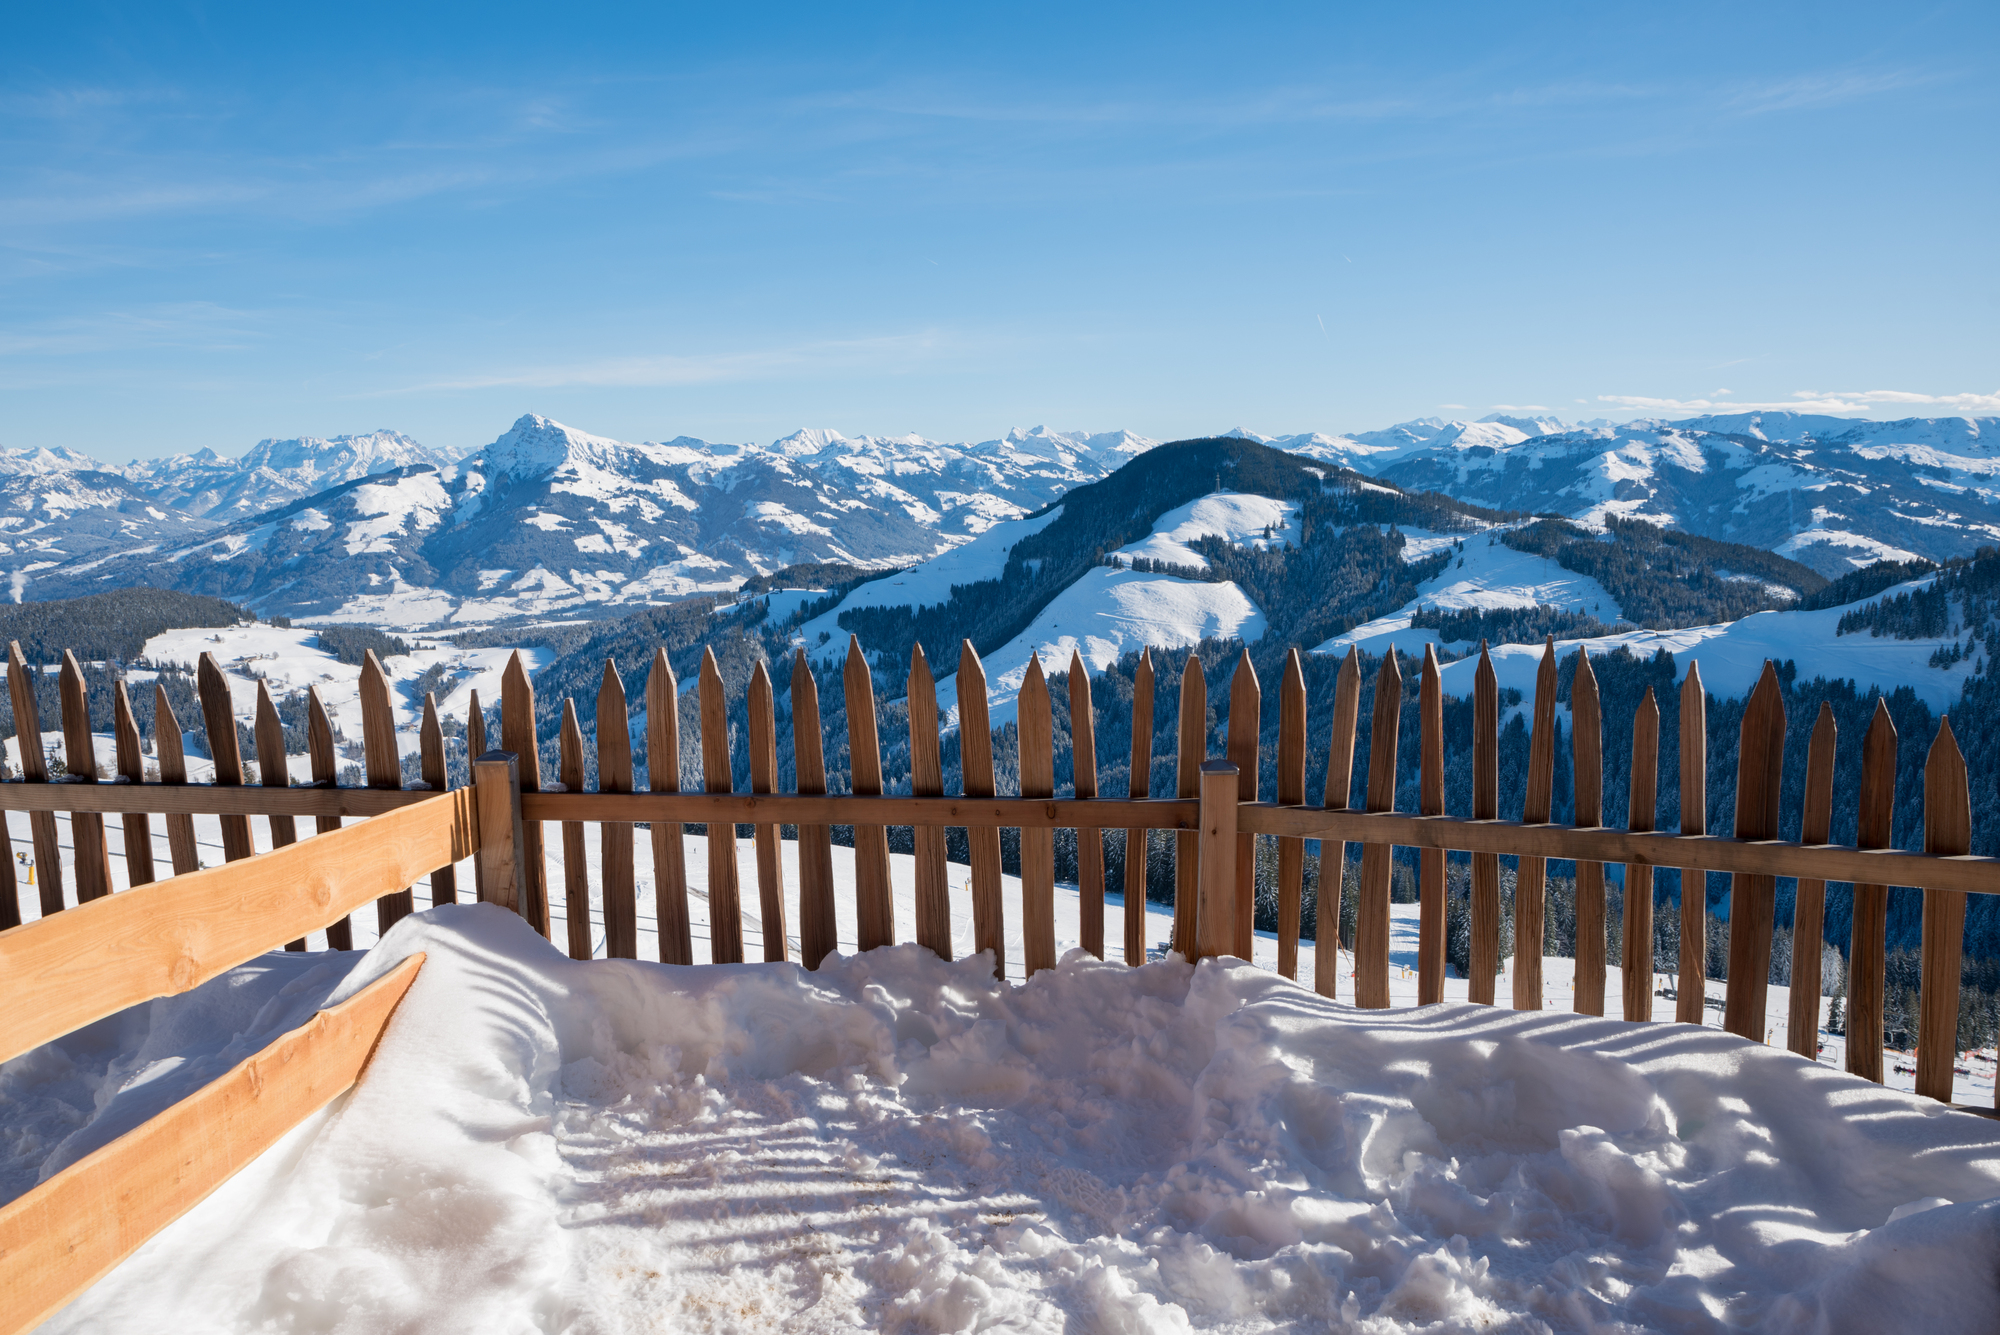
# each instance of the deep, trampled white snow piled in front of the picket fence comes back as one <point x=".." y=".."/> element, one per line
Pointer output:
<point x="905" y="1144"/>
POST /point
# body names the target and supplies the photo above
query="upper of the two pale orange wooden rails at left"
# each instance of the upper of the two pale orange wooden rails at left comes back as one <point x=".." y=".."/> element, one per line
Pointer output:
<point x="167" y="938"/>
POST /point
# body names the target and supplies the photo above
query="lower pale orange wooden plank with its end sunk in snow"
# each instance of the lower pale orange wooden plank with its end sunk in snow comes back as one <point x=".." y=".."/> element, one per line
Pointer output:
<point x="75" y="1228"/>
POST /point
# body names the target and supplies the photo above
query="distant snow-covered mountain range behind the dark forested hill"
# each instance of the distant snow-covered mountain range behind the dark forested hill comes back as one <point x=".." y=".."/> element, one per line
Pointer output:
<point x="555" y="521"/>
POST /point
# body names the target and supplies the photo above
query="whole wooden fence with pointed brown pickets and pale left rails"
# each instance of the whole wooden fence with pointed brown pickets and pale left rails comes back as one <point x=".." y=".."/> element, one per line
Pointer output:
<point x="173" y="932"/>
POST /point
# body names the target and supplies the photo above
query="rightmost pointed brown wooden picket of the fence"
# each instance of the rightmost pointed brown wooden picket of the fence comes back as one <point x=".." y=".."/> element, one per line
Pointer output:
<point x="1947" y="834"/>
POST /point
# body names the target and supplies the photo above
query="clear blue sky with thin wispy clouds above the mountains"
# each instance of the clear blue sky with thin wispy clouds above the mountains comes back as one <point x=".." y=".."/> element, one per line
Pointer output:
<point x="227" y="223"/>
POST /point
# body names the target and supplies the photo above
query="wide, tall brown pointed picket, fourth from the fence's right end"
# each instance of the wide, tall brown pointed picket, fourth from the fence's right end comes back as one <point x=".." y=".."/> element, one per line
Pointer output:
<point x="1753" y="896"/>
